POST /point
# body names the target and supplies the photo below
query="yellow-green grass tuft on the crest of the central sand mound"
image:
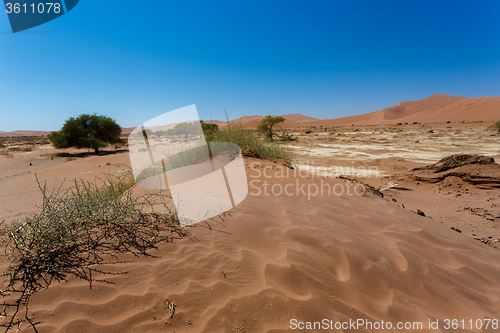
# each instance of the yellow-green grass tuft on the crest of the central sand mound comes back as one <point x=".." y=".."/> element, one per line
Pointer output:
<point x="243" y="137"/>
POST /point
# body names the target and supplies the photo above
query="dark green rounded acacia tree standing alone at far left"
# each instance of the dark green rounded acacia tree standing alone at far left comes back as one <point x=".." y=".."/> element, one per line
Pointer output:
<point x="87" y="131"/>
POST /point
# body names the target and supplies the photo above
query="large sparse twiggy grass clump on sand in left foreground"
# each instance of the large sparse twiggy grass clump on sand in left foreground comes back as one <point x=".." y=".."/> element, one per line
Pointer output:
<point x="75" y="231"/>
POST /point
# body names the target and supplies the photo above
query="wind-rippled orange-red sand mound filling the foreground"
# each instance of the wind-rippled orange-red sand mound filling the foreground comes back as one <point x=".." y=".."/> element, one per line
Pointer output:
<point x="288" y="257"/>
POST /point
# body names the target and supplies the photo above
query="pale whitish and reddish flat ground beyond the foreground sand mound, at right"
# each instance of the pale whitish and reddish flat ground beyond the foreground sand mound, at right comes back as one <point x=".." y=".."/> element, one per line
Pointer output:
<point x="378" y="155"/>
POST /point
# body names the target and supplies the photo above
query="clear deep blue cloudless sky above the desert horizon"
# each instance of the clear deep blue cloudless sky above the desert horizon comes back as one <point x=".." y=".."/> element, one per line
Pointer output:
<point x="133" y="60"/>
